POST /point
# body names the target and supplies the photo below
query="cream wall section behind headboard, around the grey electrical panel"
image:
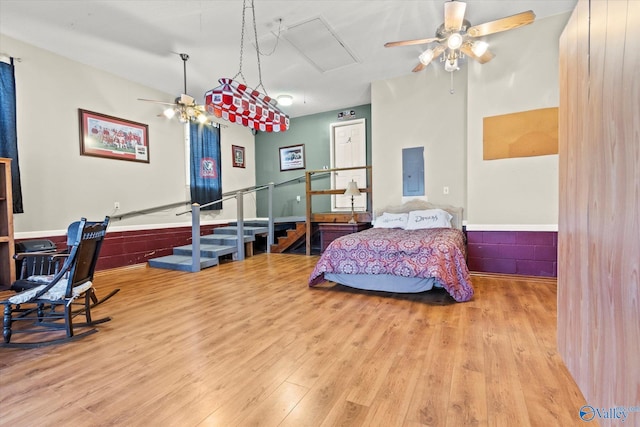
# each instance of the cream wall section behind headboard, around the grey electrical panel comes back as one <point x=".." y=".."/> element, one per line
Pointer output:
<point x="418" y="110"/>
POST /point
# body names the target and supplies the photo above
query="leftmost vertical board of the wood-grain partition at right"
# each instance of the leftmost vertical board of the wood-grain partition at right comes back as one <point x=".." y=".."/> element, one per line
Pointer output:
<point x="572" y="240"/>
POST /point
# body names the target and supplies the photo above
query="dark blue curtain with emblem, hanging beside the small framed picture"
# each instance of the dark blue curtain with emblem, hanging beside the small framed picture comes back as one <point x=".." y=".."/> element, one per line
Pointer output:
<point x="206" y="182"/>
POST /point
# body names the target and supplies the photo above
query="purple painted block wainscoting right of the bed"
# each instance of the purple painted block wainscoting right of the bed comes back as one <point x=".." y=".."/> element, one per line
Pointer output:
<point x="530" y="253"/>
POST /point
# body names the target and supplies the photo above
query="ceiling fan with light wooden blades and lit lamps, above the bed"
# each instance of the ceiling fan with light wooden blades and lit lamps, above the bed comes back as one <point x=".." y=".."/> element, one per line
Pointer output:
<point x="456" y="37"/>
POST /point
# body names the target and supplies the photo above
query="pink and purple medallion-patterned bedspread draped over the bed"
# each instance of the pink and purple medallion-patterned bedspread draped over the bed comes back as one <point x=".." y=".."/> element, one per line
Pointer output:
<point x="435" y="252"/>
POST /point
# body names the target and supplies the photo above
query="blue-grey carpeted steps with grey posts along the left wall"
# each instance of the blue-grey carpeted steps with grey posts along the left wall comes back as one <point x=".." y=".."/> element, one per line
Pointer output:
<point x="222" y="242"/>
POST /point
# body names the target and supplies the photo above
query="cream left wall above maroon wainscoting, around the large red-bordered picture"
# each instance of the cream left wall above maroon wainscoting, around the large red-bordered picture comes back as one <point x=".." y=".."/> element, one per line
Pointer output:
<point x="59" y="185"/>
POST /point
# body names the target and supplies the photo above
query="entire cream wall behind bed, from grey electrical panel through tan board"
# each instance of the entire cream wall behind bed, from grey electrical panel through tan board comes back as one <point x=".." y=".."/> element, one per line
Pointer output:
<point x="418" y="110"/>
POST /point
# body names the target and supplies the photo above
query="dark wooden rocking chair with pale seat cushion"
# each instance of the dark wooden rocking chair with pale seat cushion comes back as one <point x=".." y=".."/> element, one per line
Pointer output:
<point x="50" y="306"/>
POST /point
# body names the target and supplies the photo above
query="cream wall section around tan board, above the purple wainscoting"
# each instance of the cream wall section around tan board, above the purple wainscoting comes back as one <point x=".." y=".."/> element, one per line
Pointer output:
<point x="519" y="193"/>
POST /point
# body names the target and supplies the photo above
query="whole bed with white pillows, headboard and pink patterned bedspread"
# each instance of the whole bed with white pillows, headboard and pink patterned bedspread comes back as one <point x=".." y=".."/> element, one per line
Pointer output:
<point x="411" y="248"/>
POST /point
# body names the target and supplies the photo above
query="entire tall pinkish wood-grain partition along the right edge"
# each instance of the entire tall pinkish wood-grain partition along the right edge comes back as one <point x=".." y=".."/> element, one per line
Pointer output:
<point x="599" y="223"/>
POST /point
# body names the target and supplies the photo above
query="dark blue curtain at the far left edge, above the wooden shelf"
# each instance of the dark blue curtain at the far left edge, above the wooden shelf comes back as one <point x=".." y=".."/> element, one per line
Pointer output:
<point x="8" y="132"/>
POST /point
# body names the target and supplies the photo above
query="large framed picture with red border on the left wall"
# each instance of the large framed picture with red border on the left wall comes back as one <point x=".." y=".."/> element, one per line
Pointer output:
<point x="113" y="138"/>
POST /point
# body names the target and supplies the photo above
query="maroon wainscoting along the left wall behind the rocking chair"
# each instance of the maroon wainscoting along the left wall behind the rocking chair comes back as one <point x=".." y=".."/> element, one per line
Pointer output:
<point x="122" y="248"/>
